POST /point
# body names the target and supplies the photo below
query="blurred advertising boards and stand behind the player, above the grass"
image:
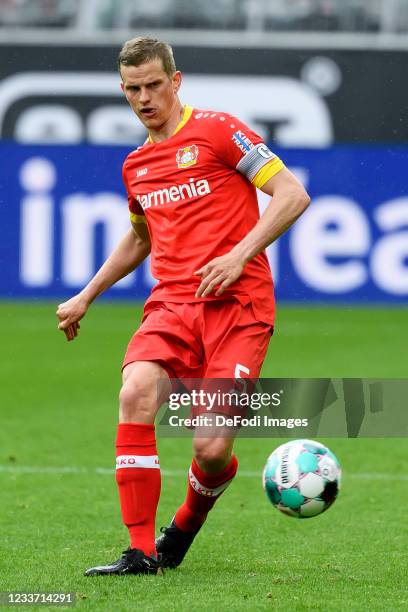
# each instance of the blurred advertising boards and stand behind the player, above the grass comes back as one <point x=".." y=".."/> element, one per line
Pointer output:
<point x="322" y="80"/>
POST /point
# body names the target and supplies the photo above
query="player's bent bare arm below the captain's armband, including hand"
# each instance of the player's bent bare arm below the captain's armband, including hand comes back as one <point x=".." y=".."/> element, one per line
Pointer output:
<point x="288" y="202"/>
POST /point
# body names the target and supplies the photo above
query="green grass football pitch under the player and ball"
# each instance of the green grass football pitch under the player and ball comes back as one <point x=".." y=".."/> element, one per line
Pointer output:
<point x="59" y="508"/>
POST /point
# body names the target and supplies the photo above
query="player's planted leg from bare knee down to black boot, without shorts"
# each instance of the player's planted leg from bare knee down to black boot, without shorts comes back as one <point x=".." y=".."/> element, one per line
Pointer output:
<point x="145" y="384"/>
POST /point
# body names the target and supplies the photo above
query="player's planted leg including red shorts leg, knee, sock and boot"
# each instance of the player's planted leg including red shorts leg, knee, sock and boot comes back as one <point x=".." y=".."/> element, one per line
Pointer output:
<point x="161" y="346"/>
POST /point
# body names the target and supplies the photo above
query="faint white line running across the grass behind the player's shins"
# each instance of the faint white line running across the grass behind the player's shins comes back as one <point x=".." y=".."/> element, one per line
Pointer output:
<point x="27" y="469"/>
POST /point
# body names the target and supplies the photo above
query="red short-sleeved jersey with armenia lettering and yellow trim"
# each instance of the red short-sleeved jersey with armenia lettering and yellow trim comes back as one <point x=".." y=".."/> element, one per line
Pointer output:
<point x="197" y="192"/>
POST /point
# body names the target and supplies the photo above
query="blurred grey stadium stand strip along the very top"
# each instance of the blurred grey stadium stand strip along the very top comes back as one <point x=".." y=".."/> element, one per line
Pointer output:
<point x="390" y="16"/>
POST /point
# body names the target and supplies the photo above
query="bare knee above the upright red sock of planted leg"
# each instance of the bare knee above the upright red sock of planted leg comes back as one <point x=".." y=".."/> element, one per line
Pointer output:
<point x="137" y="402"/>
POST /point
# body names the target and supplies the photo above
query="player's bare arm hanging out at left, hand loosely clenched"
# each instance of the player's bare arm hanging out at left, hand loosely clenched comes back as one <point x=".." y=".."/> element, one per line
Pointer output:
<point x="130" y="252"/>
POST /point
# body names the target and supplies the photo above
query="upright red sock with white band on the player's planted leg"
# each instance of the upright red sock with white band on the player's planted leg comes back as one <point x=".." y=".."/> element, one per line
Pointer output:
<point x="138" y="478"/>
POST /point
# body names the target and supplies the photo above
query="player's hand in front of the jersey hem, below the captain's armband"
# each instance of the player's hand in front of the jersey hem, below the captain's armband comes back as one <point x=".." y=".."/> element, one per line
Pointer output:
<point x="219" y="273"/>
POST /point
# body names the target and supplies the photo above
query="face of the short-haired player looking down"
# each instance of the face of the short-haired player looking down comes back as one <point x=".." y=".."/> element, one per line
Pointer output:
<point x="151" y="93"/>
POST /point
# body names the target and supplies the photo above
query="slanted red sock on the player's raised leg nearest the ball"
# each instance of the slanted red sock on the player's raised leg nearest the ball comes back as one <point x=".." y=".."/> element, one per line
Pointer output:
<point x="203" y="490"/>
